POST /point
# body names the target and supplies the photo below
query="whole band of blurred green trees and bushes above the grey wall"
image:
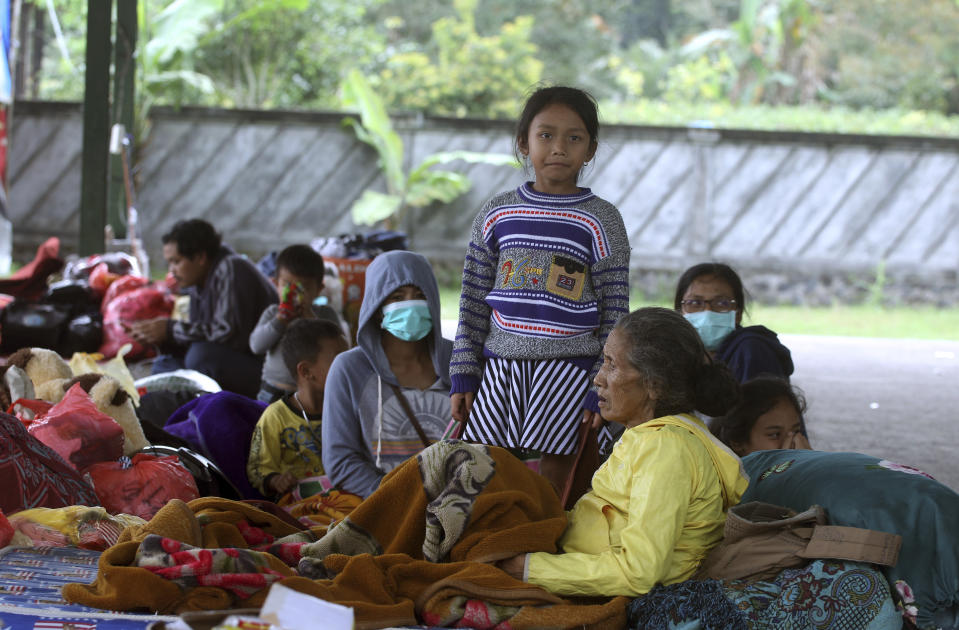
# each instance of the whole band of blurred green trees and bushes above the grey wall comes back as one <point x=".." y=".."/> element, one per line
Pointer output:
<point x="895" y="63"/>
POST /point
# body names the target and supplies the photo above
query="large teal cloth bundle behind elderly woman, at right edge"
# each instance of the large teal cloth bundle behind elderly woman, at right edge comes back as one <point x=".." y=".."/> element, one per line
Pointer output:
<point x="863" y="491"/>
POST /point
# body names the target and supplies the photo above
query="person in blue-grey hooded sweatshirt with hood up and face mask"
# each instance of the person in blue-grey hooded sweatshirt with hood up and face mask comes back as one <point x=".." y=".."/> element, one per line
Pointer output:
<point x="367" y="430"/>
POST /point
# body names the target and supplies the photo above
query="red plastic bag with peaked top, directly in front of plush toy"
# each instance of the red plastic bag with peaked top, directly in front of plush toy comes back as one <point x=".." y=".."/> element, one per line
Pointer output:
<point x="79" y="432"/>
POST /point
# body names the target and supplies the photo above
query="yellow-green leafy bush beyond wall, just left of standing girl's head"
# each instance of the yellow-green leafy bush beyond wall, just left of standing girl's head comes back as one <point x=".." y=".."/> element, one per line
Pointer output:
<point x="462" y="73"/>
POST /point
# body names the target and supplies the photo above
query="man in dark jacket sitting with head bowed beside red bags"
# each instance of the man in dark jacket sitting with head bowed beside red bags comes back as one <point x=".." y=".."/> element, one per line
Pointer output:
<point x="227" y="295"/>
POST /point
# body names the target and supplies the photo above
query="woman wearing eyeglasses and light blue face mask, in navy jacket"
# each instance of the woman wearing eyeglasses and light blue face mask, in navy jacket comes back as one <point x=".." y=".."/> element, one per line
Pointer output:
<point x="711" y="297"/>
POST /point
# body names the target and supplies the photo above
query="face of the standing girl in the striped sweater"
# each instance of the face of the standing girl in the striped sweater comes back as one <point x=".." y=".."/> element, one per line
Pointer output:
<point x="557" y="145"/>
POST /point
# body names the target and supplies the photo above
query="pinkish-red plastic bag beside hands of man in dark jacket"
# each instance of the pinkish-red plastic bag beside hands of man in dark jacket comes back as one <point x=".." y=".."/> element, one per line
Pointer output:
<point x="120" y="313"/>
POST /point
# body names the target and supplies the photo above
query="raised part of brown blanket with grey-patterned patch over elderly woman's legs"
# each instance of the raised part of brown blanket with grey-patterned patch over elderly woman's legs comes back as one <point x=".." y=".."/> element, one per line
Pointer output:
<point x="419" y="549"/>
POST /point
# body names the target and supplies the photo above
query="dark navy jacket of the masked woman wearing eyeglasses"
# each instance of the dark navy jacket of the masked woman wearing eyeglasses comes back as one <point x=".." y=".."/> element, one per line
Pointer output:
<point x="753" y="350"/>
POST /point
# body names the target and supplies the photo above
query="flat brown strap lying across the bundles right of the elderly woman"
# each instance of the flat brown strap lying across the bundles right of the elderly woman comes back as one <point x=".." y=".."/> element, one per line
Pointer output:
<point x="853" y="543"/>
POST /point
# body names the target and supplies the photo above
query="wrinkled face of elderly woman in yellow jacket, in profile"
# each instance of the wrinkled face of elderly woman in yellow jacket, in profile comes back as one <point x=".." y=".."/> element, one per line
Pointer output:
<point x="623" y="396"/>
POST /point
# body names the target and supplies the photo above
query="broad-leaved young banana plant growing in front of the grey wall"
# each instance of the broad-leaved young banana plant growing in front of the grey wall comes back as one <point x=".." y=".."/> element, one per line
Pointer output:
<point x="423" y="185"/>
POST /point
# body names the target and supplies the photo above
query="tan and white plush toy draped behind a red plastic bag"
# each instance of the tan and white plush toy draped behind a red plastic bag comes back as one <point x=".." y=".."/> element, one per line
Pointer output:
<point x="109" y="397"/>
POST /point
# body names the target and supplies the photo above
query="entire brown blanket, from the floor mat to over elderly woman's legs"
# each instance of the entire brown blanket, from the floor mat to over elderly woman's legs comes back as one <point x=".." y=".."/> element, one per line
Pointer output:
<point x="416" y="551"/>
